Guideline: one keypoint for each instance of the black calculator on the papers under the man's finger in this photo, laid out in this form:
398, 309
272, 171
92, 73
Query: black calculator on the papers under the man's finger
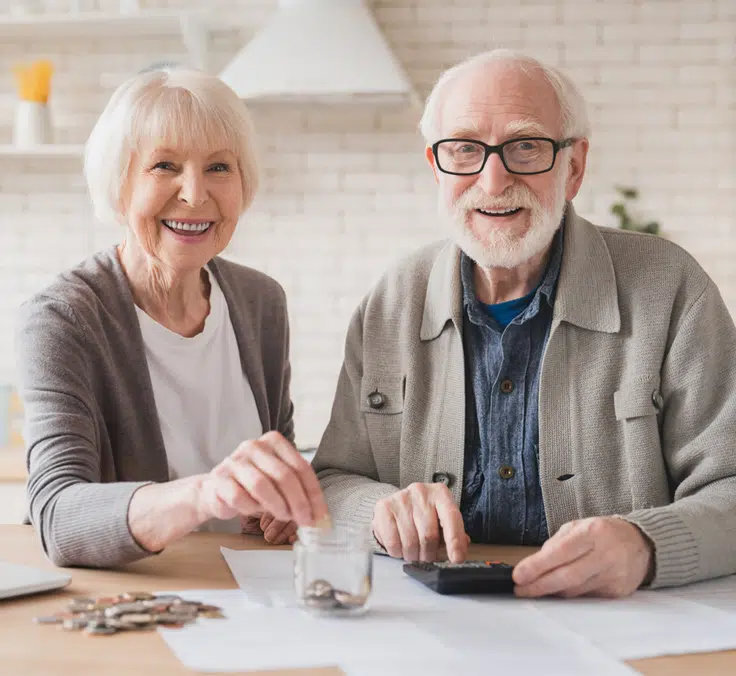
470, 577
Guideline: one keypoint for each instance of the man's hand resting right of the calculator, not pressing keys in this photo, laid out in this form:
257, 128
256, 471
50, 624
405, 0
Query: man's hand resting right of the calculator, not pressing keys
600, 556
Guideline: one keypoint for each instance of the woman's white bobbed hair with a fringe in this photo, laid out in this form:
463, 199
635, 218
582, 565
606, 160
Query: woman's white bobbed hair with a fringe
184, 107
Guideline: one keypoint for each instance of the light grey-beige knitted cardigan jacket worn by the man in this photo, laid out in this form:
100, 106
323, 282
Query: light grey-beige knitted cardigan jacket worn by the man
637, 398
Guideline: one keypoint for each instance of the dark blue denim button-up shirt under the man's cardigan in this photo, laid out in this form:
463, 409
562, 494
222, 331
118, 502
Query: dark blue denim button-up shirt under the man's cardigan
502, 497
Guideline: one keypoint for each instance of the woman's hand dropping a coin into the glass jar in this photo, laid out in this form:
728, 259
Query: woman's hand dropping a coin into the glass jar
267, 475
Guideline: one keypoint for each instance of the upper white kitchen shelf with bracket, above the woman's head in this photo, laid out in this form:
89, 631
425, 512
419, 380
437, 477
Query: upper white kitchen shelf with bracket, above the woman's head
192, 26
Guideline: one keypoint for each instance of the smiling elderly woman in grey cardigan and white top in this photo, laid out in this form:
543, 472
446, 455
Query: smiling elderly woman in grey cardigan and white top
155, 375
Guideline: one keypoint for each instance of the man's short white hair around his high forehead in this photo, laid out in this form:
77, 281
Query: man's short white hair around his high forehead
572, 104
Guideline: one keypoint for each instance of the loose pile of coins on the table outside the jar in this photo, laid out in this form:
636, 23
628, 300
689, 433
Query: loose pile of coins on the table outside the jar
107, 615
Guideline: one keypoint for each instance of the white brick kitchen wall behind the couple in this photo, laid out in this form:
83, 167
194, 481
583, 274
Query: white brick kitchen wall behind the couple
346, 191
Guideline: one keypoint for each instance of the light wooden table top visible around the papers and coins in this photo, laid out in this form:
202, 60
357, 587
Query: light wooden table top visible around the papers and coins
193, 563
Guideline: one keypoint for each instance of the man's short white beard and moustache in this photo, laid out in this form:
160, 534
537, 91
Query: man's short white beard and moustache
499, 247
